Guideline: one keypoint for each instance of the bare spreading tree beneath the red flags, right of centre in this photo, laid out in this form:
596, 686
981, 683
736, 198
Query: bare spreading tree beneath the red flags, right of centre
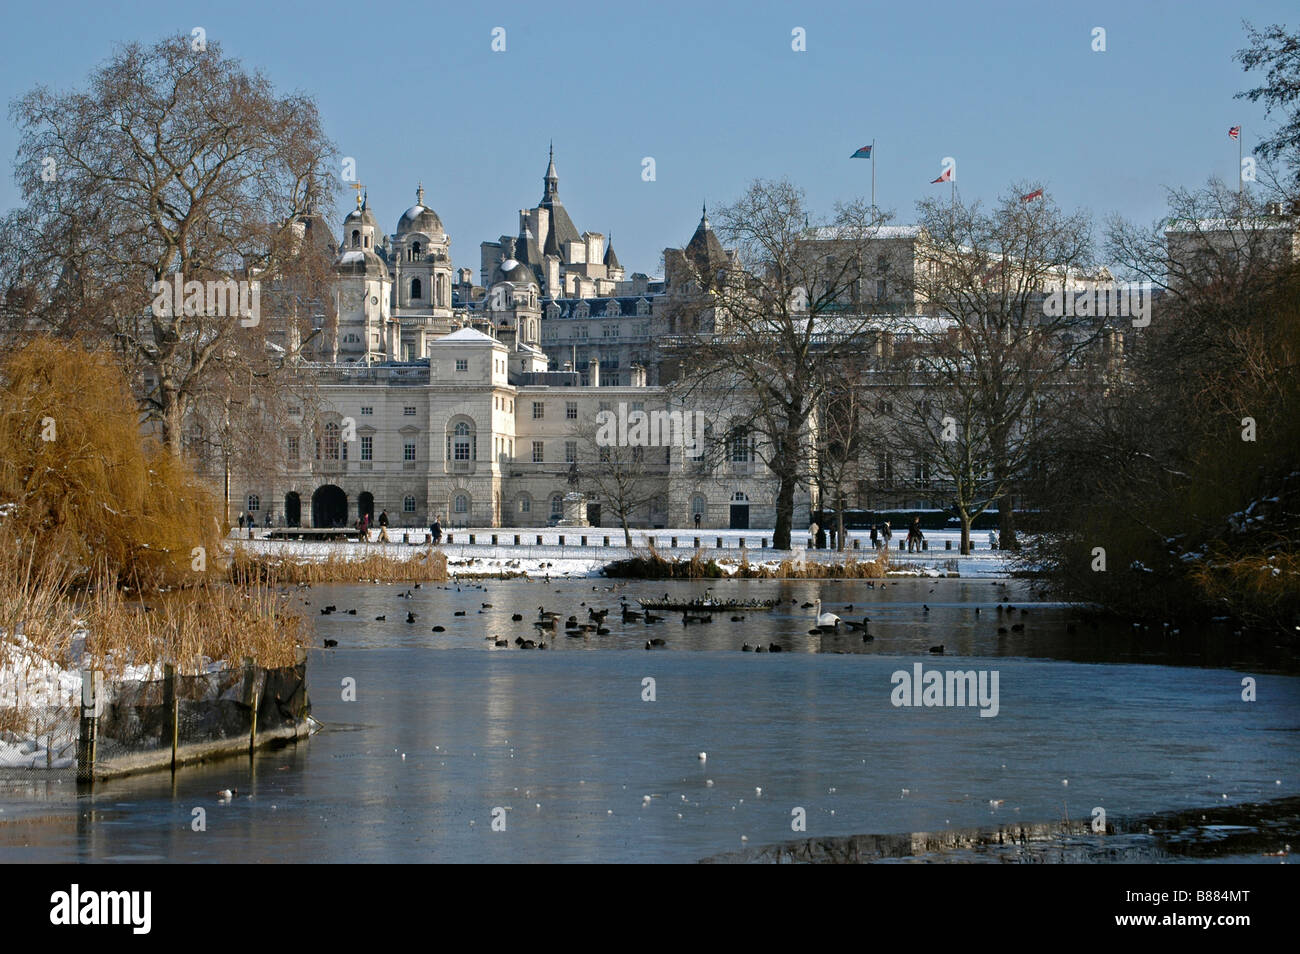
993, 353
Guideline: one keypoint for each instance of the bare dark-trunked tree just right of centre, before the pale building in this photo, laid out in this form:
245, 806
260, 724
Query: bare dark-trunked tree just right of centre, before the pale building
769, 318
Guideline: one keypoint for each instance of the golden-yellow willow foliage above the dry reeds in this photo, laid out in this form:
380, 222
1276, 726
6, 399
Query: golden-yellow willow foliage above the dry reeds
84, 487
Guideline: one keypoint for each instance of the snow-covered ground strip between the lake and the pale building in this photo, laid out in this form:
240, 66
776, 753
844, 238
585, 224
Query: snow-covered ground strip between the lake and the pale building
573, 560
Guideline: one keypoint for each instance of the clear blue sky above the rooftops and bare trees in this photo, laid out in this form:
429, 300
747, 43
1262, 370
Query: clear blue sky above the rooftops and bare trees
716, 94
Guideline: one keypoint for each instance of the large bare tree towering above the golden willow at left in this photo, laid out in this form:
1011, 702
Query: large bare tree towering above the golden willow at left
172, 162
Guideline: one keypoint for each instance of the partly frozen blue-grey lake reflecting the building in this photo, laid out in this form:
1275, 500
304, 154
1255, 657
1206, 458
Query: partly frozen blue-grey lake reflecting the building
567, 747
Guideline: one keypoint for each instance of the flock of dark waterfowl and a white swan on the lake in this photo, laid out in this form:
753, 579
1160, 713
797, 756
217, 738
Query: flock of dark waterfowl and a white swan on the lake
595, 622
